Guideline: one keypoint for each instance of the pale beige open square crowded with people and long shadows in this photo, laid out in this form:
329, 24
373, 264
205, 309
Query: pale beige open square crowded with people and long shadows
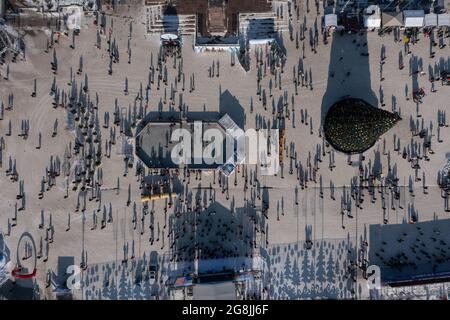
70, 181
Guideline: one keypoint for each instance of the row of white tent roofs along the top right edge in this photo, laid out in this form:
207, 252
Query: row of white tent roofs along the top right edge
375, 19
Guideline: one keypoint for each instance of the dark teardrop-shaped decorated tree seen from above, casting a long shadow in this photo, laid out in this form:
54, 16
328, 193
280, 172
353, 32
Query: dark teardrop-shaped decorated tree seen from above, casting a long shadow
353, 125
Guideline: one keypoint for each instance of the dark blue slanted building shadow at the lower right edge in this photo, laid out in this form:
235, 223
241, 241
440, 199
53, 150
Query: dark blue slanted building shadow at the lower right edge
411, 253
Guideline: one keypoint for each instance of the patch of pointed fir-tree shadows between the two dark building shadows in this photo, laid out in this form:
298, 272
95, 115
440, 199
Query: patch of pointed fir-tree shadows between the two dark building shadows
320, 273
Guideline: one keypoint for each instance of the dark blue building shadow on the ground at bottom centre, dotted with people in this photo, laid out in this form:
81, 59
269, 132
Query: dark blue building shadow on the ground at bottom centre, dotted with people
212, 241
